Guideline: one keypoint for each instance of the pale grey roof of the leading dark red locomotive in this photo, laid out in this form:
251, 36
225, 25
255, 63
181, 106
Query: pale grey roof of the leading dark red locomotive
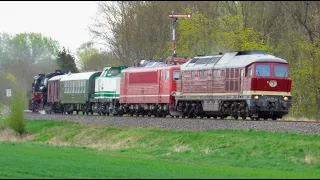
230, 60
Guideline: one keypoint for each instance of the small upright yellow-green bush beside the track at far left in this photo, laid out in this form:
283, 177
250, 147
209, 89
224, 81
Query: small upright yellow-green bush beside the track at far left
16, 120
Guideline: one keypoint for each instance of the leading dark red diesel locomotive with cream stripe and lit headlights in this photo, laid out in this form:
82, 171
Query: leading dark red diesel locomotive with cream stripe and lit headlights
238, 84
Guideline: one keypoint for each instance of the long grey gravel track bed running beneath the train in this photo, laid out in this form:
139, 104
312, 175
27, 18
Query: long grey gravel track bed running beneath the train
184, 124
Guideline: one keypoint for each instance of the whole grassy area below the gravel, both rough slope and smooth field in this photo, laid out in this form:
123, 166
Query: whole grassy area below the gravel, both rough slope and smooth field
69, 150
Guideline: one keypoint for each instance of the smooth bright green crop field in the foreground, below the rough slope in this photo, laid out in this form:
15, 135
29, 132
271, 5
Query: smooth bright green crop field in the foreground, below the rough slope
42, 161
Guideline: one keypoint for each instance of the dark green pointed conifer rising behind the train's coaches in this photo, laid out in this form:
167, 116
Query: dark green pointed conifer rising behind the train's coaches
66, 62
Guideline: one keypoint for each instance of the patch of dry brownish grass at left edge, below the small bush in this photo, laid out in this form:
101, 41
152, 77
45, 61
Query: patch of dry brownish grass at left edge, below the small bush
9, 135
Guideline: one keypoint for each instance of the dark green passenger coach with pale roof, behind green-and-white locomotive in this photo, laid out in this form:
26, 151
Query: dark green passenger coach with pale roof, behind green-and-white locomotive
76, 91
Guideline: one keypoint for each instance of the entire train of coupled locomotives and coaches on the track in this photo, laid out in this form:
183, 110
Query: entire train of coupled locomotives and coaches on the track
246, 84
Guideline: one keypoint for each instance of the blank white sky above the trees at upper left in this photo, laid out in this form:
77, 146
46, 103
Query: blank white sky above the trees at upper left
64, 21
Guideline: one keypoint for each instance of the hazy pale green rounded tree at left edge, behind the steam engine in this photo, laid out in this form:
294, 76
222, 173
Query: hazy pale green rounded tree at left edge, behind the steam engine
25, 55
